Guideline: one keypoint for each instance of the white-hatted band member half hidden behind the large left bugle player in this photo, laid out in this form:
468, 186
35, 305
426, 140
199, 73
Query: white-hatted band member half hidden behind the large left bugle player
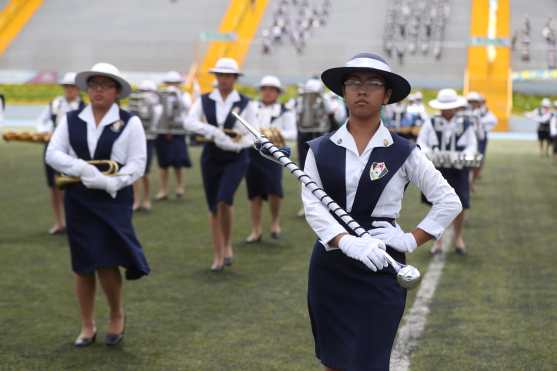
46, 123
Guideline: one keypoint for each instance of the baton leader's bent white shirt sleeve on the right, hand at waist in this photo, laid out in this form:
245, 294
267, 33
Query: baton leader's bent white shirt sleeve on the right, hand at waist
446, 204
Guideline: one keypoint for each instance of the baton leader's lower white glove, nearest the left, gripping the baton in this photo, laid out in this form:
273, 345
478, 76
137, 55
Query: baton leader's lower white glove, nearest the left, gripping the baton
369, 251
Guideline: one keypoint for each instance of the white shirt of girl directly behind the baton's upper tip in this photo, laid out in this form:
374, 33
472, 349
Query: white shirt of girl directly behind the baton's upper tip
286, 122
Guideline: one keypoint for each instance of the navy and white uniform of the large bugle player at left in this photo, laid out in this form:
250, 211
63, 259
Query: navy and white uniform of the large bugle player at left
99, 225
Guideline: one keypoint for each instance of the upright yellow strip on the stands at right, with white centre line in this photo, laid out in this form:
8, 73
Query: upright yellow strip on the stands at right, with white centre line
488, 71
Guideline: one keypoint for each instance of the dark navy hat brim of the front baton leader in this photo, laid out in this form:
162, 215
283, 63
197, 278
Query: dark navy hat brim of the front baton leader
333, 78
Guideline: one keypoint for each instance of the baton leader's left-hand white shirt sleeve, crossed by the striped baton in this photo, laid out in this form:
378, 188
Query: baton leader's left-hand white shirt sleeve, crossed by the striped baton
318, 216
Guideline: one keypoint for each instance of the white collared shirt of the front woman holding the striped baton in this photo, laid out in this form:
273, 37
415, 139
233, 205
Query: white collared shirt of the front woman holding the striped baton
417, 169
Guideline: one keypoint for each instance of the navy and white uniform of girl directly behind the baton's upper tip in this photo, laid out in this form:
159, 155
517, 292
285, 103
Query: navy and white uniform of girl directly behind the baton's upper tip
263, 176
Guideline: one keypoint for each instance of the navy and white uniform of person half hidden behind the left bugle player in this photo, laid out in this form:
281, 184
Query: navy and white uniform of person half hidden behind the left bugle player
49, 119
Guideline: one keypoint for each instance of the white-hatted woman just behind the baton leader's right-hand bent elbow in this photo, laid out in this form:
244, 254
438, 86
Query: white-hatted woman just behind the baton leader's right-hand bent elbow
453, 132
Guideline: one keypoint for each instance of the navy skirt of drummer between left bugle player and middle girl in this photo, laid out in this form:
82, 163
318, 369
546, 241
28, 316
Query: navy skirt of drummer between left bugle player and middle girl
172, 151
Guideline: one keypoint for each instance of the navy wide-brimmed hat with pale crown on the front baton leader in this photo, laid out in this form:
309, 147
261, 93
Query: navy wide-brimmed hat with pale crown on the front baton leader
334, 78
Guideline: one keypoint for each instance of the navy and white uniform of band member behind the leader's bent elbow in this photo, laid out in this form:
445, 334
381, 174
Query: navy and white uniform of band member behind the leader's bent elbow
456, 135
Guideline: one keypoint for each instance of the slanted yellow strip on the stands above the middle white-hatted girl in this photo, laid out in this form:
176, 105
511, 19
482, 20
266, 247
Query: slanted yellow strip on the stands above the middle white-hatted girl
242, 18
